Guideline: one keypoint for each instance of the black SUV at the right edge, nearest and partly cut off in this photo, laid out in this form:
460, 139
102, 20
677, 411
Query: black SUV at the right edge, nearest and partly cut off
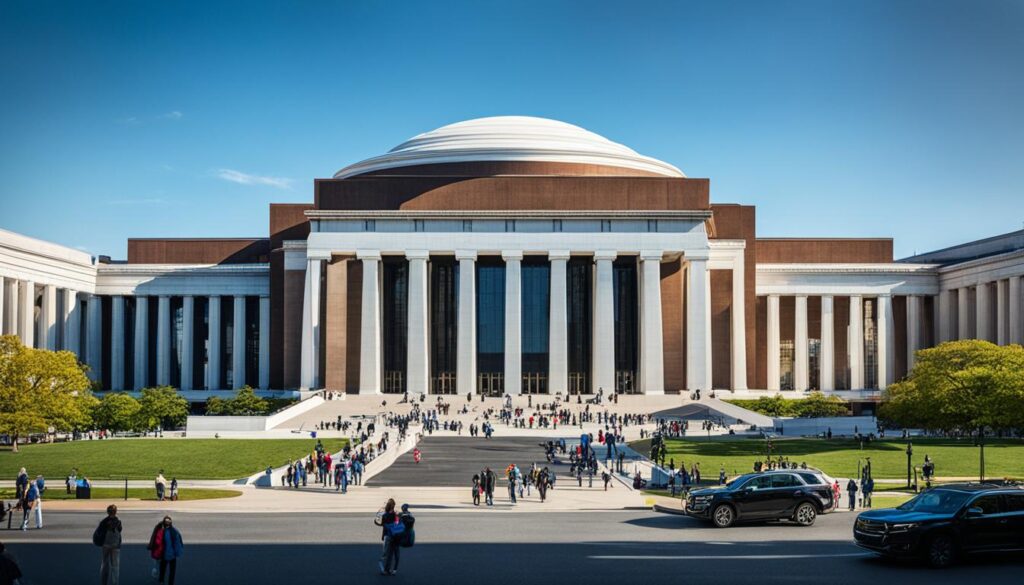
944, 523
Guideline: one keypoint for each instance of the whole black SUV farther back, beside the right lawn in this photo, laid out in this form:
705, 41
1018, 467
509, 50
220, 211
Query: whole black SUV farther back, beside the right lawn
784, 494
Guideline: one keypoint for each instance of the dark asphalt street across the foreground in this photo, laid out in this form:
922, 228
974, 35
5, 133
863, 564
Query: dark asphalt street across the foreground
495, 547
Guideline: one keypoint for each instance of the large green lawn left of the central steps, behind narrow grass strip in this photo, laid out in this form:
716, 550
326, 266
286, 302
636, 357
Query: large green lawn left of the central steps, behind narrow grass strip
144, 458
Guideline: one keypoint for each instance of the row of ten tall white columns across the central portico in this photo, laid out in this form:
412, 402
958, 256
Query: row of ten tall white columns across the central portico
603, 374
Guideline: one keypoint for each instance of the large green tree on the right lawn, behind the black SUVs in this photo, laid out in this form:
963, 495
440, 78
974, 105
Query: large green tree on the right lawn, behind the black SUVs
967, 387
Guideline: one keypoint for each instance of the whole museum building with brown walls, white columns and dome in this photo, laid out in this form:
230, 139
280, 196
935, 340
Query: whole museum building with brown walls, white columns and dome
509, 256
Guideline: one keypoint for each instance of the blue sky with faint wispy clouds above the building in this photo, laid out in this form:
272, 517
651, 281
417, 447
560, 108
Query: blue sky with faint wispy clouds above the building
886, 118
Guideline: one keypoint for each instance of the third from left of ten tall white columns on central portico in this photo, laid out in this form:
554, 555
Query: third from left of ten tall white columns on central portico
418, 357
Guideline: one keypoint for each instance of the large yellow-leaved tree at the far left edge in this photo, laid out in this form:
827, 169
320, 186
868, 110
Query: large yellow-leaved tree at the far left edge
41, 390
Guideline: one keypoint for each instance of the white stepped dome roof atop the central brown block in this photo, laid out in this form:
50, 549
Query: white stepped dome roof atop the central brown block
510, 139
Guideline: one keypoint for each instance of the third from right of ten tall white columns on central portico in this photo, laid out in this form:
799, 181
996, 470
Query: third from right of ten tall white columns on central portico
652, 344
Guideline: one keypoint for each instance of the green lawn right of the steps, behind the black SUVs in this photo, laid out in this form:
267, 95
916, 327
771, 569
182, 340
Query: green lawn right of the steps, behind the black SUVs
839, 457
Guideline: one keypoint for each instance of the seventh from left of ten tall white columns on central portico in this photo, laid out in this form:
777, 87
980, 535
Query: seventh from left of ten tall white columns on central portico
604, 344
